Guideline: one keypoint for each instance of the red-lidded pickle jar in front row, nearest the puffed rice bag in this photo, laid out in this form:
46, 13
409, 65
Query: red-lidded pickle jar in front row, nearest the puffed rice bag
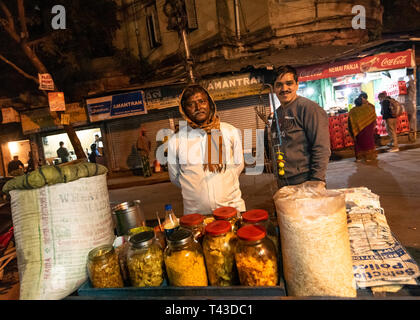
255, 257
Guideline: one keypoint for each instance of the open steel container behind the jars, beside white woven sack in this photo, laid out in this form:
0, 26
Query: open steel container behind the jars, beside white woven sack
127, 215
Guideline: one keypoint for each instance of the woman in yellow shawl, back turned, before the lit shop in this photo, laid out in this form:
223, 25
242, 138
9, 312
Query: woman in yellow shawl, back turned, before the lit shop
362, 122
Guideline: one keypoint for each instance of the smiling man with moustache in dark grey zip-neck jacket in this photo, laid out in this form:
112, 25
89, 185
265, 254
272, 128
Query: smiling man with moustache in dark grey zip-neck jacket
303, 127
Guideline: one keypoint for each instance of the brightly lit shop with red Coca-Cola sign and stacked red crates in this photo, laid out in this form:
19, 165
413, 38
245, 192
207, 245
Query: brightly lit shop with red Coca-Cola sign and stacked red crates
335, 86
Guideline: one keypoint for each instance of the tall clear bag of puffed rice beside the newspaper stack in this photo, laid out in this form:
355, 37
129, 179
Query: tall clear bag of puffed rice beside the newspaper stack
314, 241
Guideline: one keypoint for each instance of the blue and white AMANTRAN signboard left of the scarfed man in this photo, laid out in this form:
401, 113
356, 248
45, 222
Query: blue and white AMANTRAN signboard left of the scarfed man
116, 106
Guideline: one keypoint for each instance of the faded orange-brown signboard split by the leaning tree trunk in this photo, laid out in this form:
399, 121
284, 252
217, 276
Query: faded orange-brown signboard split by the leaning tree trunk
40, 120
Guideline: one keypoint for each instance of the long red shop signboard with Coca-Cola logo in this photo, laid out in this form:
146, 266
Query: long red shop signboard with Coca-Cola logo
384, 61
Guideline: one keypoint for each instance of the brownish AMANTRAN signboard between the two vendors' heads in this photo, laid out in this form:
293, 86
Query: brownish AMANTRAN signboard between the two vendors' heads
235, 86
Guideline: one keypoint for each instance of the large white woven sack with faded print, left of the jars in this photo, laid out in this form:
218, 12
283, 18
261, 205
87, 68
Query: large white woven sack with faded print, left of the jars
55, 228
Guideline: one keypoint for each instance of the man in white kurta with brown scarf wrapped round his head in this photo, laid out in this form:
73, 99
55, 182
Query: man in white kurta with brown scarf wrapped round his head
208, 180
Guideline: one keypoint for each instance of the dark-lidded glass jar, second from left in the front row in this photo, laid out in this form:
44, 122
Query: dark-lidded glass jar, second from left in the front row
145, 260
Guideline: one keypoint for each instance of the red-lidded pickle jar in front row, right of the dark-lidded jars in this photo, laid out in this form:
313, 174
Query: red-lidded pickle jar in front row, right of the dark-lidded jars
219, 252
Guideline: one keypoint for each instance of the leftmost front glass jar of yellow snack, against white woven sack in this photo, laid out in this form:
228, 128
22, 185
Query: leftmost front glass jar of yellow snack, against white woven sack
103, 268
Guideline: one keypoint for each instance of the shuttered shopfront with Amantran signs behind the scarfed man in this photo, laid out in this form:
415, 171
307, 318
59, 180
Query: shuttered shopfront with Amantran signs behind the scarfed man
157, 108
